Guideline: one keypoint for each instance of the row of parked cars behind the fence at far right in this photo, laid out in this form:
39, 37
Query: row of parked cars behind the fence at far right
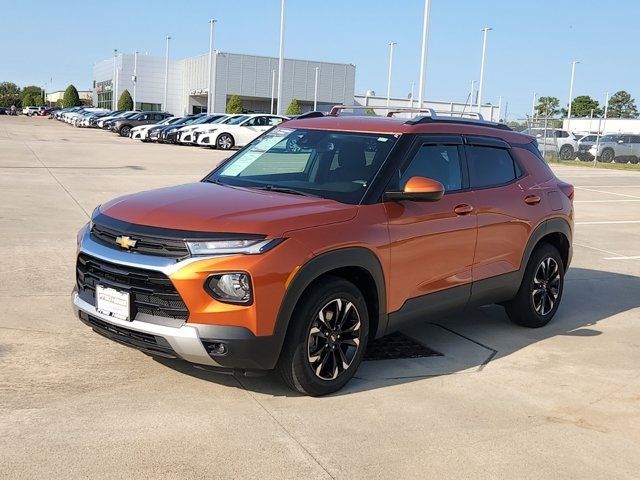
618, 148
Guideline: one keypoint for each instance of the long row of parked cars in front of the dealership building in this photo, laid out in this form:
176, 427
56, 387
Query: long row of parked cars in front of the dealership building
223, 131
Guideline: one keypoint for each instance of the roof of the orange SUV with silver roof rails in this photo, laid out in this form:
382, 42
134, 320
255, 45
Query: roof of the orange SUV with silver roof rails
394, 125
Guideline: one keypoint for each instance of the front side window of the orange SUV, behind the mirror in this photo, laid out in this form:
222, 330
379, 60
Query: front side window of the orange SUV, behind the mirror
439, 162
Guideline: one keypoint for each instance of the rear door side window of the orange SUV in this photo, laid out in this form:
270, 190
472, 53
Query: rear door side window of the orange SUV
489, 166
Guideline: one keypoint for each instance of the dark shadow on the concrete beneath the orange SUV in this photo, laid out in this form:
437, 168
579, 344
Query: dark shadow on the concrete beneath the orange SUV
468, 342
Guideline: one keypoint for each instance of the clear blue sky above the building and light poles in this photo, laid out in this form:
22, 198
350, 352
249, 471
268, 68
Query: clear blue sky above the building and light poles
529, 50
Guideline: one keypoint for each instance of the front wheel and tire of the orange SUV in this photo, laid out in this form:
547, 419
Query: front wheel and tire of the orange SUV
315, 350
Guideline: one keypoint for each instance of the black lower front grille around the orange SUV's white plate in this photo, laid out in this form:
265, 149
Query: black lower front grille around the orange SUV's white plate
151, 292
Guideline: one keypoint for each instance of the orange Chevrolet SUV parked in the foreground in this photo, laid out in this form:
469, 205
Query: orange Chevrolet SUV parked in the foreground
325, 233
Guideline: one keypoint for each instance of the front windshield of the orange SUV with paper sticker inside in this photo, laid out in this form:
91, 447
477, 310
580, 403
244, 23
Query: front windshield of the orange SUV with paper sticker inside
334, 165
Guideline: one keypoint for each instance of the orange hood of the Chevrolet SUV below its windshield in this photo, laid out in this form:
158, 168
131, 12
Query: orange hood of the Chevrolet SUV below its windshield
208, 207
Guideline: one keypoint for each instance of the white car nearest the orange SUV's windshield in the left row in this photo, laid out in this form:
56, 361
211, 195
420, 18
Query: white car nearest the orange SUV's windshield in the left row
238, 131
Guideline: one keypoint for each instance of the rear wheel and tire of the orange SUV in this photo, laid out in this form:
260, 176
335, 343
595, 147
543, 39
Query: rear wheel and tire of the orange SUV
531, 309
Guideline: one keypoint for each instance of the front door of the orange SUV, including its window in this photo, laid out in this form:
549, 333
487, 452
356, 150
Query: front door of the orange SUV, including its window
432, 243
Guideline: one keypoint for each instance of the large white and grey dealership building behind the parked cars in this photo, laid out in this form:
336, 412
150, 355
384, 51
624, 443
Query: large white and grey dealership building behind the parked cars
253, 78
